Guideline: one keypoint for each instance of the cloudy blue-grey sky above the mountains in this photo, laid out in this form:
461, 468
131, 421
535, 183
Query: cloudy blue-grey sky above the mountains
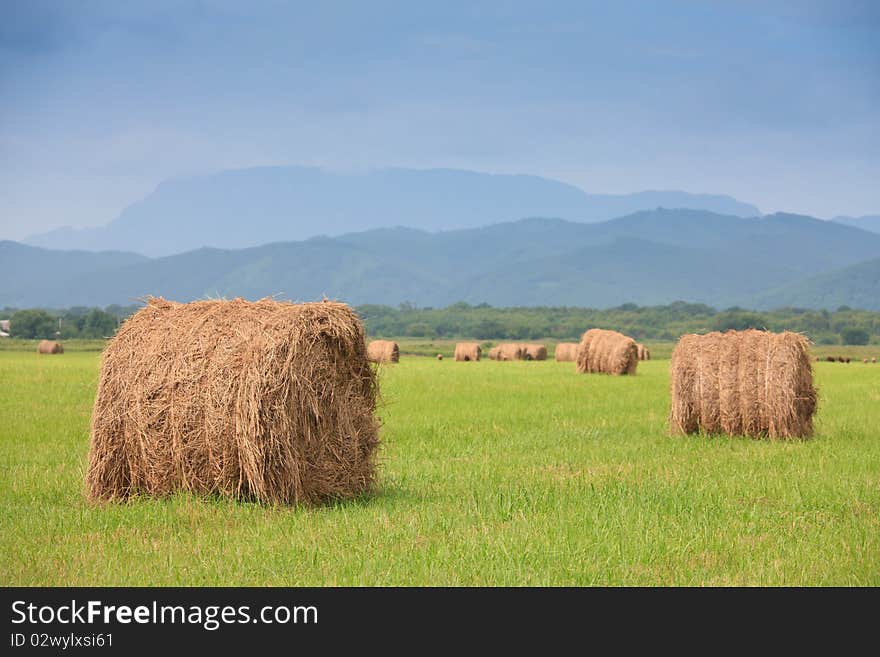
775, 103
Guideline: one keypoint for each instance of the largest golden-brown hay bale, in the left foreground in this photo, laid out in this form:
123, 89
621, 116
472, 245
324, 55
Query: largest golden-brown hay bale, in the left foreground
268, 401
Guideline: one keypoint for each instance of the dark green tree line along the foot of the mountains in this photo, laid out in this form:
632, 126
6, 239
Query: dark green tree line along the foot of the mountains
484, 322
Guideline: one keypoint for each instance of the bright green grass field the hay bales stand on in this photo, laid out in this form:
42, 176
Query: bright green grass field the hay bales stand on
492, 473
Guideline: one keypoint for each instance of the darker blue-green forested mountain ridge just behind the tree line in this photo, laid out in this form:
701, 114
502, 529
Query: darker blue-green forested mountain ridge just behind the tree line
647, 257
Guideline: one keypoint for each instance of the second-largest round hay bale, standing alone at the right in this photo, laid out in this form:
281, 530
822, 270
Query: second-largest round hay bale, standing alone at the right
752, 383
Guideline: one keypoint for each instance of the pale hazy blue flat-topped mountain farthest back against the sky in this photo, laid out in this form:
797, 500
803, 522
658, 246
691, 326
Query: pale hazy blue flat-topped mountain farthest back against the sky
251, 207
